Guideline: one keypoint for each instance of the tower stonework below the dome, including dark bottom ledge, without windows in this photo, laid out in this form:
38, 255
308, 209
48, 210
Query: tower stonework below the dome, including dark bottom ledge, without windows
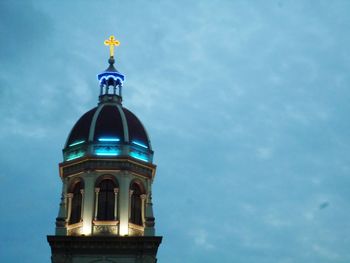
91, 240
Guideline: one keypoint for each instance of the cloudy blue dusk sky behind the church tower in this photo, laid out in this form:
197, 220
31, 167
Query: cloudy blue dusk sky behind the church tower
246, 104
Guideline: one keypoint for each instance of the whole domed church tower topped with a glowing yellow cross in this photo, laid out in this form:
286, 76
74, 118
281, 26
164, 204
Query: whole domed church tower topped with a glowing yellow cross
105, 213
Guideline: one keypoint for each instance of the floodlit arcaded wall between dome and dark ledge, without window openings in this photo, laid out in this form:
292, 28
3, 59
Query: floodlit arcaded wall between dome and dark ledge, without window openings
124, 172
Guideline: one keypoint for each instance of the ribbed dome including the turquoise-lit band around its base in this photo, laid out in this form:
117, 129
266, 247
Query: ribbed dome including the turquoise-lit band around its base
108, 130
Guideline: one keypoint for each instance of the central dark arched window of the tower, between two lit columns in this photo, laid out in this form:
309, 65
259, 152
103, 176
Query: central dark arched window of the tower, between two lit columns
106, 200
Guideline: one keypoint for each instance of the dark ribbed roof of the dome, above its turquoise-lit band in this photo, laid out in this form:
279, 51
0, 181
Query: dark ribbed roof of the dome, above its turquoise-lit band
109, 121
